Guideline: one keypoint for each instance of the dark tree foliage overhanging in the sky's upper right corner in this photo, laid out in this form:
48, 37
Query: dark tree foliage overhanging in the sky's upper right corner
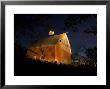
72, 21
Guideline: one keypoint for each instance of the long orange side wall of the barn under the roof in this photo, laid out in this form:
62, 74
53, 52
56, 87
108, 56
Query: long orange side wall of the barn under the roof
44, 53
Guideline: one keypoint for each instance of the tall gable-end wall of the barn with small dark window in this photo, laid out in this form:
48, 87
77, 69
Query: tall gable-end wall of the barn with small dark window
63, 50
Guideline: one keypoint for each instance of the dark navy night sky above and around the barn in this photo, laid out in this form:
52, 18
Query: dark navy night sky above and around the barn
28, 28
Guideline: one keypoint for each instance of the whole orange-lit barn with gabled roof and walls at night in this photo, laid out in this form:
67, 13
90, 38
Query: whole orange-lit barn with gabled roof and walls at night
55, 48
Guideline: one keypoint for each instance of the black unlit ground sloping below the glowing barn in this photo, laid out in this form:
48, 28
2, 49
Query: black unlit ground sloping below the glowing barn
27, 67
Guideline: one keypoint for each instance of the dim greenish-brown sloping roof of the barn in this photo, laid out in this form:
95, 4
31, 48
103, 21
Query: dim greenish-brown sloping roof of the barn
51, 40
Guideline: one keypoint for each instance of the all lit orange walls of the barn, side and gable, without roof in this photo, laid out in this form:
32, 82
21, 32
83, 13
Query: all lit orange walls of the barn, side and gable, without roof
60, 52
